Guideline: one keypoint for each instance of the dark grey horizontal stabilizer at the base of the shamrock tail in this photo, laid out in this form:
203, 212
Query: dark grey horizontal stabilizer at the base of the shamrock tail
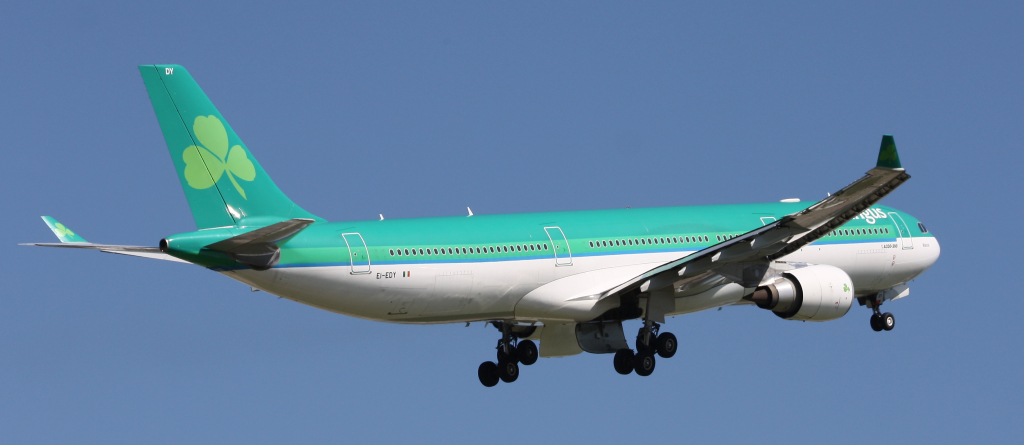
259, 250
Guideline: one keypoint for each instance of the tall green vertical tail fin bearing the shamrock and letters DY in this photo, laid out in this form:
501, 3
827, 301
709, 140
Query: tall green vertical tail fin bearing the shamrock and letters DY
223, 182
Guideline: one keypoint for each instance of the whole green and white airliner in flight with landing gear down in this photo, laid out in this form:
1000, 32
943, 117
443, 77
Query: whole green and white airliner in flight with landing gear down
566, 280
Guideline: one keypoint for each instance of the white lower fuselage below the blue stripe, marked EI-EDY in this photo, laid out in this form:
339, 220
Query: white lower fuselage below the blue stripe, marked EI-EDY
540, 290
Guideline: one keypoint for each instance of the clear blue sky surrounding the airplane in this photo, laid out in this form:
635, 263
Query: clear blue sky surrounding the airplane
422, 109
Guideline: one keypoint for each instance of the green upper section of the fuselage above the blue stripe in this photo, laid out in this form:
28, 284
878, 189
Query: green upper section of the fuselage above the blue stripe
323, 244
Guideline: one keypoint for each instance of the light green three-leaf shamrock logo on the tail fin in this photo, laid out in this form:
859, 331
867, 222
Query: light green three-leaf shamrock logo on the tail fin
207, 163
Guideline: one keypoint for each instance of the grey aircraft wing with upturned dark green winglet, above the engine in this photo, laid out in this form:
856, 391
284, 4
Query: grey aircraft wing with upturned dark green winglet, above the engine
745, 259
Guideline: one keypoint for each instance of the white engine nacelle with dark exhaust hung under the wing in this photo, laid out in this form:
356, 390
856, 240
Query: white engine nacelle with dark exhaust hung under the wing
812, 294
